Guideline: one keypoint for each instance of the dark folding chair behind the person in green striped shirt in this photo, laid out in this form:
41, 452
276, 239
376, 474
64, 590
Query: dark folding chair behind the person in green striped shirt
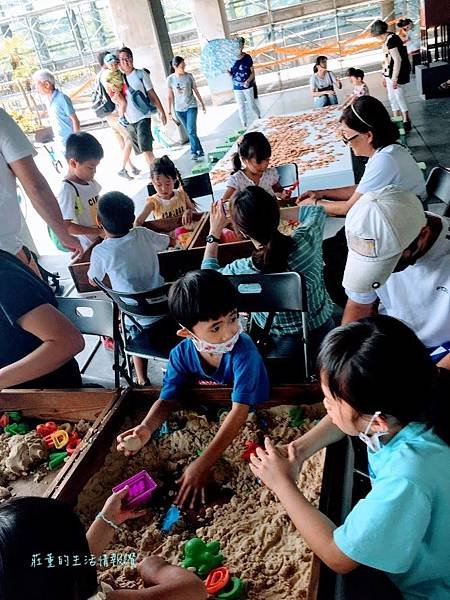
272, 293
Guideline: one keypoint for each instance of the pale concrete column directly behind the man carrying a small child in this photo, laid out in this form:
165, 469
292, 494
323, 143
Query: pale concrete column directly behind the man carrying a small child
141, 26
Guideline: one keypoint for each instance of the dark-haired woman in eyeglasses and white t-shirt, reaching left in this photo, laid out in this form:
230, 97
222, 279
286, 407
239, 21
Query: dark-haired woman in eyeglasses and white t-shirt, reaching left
367, 128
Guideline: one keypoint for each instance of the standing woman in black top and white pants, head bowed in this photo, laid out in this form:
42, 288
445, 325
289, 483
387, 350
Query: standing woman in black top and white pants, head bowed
396, 69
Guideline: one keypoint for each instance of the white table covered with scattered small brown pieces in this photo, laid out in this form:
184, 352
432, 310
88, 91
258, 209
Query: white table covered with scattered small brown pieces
309, 139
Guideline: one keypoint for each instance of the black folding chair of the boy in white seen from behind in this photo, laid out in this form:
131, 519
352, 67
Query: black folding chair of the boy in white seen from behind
155, 341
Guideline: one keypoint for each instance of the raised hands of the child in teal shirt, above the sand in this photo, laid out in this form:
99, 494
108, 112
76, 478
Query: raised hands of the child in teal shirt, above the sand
272, 468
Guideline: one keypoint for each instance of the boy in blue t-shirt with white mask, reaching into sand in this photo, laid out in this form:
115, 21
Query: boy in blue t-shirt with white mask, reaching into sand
215, 349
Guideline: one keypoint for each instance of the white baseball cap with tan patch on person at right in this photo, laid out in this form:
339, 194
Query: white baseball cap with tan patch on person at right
379, 227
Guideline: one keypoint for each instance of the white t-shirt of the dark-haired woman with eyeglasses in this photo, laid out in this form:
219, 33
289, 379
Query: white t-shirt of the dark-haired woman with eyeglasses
392, 165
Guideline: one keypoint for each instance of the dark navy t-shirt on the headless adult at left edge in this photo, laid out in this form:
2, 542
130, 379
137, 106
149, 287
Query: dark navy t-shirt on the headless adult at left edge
21, 291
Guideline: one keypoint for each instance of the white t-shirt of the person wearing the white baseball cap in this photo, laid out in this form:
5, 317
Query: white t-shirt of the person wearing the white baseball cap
419, 295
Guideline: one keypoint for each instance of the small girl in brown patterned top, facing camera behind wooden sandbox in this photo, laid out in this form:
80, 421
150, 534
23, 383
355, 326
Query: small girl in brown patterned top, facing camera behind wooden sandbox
168, 200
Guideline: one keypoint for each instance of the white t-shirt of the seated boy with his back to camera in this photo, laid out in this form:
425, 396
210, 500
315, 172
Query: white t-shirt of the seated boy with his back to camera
131, 262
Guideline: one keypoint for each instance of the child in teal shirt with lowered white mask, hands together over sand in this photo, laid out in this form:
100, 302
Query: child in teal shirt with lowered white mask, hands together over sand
379, 384
